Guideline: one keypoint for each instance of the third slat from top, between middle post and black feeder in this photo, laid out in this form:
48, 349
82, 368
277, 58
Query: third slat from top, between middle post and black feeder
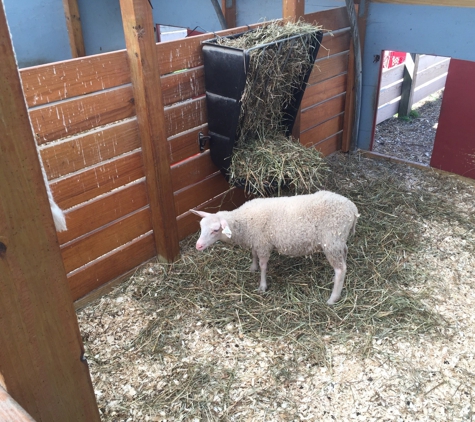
185, 116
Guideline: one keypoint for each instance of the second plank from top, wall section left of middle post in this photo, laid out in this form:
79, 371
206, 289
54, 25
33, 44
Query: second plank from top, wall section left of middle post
71, 117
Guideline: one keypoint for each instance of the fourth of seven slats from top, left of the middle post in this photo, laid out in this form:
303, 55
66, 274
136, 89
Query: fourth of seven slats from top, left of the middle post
97, 180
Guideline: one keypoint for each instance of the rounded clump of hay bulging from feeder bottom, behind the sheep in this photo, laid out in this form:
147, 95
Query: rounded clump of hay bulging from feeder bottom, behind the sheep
266, 167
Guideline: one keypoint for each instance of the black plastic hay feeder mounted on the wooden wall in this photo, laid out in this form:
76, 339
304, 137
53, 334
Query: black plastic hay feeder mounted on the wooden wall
226, 70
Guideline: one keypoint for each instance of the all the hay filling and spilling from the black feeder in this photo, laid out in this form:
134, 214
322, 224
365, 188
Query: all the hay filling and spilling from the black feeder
266, 159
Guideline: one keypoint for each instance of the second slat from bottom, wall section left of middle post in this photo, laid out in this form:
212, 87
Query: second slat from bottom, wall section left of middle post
92, 246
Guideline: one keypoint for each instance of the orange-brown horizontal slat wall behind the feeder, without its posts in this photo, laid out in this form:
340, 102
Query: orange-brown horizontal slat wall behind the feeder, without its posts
84, 116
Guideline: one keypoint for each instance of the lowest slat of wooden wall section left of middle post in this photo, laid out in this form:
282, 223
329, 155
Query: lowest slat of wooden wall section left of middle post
93, 275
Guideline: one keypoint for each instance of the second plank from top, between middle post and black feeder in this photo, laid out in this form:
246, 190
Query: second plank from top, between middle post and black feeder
182, 86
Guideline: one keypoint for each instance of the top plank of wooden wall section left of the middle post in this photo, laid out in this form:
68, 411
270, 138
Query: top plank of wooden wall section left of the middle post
62, 80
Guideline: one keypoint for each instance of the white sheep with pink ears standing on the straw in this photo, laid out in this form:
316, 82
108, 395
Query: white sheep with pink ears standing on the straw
295, 226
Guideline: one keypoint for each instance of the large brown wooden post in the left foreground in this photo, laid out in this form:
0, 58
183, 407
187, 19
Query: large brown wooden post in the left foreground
41, 352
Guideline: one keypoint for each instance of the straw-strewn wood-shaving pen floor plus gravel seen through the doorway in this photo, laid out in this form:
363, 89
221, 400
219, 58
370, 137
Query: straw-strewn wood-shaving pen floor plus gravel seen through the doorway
193, 341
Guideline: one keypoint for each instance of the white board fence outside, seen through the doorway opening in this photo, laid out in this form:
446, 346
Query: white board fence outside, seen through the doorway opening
429, 75
